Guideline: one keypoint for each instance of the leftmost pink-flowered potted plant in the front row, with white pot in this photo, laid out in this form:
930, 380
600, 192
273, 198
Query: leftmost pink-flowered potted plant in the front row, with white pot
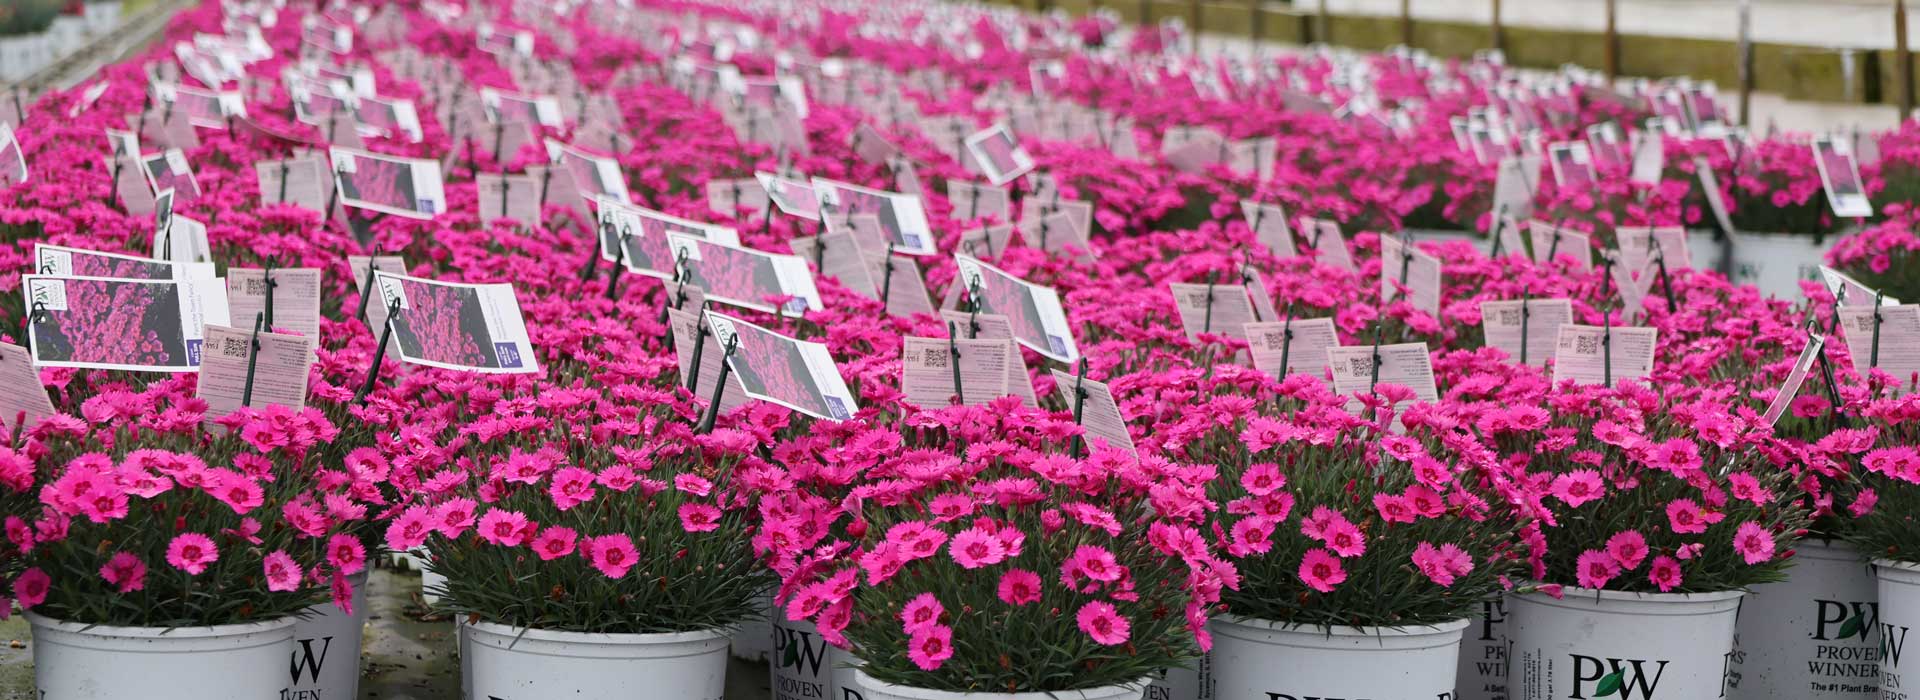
168, 559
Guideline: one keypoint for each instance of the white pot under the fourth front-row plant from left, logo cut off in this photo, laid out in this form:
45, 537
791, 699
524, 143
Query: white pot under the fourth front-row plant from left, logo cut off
1272, 661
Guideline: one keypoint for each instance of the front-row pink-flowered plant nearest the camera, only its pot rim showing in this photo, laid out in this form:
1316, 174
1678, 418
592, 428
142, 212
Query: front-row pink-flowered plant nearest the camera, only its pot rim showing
988, 561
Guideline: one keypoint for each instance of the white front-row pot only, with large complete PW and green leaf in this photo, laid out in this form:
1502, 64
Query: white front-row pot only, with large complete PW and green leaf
1620, 645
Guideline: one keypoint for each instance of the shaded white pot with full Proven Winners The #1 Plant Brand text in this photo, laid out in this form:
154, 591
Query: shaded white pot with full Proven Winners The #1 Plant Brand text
1812, 636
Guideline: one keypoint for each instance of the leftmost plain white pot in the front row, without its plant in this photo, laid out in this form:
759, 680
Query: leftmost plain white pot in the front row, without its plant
97, 663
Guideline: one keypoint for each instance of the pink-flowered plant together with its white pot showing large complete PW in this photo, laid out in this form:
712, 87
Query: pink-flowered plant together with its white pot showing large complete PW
1656, 519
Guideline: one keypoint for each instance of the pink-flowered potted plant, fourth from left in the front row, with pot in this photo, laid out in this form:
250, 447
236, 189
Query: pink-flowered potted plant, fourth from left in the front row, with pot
1362, 553
